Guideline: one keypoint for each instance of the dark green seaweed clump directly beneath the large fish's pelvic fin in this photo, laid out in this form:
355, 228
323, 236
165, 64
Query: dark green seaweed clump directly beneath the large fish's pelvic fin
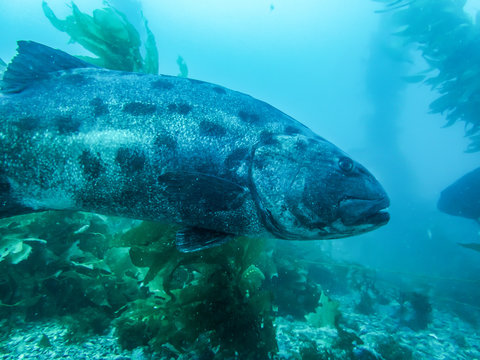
217, 292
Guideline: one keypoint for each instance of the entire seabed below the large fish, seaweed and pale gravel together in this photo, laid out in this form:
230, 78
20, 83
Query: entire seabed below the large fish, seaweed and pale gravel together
83, 286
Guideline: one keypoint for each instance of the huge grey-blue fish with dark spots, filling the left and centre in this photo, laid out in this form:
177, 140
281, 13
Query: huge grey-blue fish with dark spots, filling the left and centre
216, 162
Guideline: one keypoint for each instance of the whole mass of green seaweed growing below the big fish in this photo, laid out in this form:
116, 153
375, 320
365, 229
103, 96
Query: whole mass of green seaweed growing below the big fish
97, 273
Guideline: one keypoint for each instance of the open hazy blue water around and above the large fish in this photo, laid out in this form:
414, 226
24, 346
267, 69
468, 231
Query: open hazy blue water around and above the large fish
334, 66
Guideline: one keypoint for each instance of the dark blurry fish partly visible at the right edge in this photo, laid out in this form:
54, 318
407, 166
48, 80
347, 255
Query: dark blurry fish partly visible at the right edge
462, 198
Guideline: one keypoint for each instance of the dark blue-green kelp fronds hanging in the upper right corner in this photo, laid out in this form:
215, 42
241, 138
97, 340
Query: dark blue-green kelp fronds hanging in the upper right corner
449, 41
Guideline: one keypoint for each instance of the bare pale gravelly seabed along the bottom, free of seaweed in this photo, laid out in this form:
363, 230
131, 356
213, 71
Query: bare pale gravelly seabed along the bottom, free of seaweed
447, 337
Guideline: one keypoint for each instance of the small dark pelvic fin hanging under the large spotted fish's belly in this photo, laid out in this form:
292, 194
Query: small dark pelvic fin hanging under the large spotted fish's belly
192, 239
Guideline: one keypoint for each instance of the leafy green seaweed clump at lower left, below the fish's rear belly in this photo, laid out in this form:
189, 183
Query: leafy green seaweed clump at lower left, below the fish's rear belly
68, 267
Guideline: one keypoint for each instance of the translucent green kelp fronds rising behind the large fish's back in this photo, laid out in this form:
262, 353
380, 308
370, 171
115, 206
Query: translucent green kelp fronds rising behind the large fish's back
111, 37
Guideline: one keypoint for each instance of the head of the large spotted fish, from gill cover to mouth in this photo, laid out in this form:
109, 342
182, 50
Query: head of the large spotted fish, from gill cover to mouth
307, 188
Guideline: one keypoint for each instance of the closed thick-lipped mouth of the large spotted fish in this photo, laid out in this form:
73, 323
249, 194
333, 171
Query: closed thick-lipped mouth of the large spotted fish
355, 211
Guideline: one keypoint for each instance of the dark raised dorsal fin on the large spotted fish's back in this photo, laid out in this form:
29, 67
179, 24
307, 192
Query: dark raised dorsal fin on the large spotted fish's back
34, 62
